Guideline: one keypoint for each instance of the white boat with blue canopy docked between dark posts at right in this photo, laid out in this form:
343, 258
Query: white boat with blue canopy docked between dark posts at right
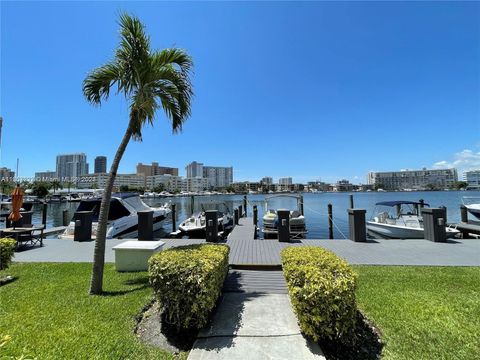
400, 220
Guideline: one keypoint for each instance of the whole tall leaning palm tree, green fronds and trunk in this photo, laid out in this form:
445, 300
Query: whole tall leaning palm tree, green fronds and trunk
149, 80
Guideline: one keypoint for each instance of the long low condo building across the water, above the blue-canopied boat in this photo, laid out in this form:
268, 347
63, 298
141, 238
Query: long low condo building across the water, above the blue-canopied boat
413, 179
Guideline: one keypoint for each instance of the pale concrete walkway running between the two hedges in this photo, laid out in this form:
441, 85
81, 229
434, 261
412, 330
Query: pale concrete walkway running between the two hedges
254, 326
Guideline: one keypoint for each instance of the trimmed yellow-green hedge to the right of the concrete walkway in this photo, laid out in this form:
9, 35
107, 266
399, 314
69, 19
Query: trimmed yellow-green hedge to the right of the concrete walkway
322, 291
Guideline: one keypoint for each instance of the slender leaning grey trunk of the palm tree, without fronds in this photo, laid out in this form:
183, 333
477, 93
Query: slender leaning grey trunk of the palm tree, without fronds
96, 283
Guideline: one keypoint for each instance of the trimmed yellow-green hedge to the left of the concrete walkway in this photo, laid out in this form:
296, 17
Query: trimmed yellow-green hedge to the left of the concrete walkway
187, 281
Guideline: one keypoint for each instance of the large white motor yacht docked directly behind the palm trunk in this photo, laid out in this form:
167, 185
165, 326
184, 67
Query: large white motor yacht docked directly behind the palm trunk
122, 216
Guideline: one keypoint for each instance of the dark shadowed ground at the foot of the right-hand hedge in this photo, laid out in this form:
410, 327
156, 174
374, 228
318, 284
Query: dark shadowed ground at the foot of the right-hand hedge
366, 346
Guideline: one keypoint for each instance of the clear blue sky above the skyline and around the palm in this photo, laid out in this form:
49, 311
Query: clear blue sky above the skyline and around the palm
309, 90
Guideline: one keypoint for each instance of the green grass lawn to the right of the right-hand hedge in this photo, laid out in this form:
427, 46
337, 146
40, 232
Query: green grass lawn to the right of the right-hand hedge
423, 312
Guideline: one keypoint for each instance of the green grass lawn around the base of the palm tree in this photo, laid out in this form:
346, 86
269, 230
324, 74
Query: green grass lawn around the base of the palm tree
49, 315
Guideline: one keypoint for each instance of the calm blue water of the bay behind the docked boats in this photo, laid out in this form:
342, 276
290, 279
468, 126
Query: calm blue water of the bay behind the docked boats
315, 207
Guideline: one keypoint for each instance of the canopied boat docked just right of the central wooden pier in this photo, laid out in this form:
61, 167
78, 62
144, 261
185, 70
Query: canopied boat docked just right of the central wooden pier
270, 219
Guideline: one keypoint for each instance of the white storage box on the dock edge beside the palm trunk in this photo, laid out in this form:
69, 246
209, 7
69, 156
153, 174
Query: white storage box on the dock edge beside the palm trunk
133, 255
